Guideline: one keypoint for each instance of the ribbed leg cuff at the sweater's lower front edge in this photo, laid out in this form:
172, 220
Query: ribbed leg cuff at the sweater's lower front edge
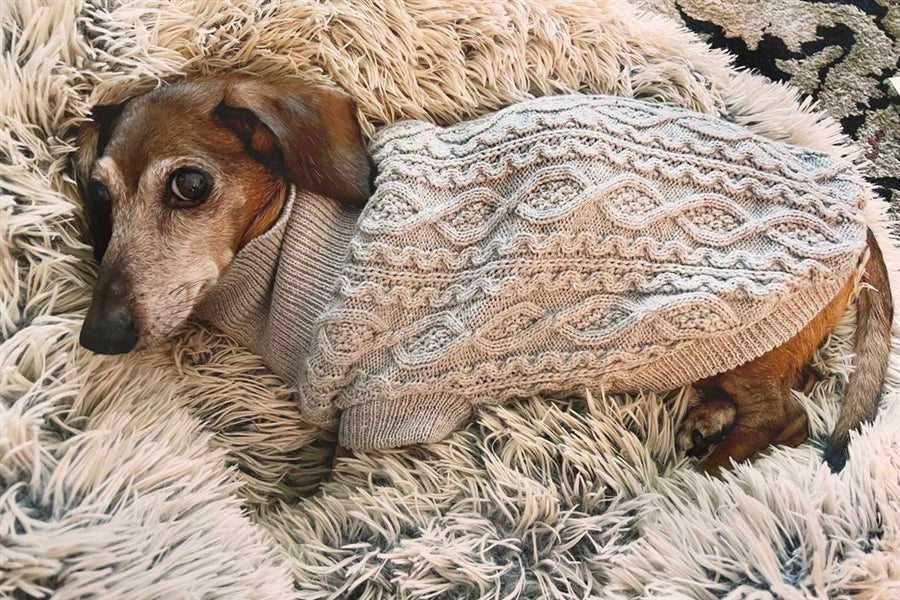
379, 424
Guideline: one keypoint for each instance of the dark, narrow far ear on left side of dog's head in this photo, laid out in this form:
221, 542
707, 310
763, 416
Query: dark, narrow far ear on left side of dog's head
91, 140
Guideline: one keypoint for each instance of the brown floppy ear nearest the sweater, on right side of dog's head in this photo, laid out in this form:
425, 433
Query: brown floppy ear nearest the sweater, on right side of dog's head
311, 133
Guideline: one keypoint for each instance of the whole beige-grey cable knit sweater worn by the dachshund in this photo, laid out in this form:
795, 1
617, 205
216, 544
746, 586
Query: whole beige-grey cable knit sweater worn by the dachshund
564, 242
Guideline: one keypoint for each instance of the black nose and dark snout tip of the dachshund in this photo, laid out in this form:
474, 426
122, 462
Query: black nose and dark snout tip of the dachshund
109, 327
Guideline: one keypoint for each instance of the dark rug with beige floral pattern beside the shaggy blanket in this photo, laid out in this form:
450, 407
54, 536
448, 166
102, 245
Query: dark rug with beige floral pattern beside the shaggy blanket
842, 53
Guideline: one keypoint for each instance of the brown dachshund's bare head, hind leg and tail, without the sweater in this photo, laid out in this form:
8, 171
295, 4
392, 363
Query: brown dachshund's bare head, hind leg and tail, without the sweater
177, 181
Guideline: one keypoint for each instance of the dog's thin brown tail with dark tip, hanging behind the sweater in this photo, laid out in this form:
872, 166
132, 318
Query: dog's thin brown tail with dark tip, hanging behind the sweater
875, 311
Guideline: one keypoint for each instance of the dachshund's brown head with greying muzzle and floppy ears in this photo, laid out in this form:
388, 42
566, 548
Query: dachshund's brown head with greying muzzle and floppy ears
176, 181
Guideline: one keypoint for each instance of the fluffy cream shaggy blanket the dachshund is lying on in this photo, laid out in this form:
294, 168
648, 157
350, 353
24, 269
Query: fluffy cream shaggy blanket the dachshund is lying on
187, 472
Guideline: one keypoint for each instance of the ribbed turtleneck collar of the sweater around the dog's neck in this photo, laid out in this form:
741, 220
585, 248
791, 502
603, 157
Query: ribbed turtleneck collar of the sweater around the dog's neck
318, 231
